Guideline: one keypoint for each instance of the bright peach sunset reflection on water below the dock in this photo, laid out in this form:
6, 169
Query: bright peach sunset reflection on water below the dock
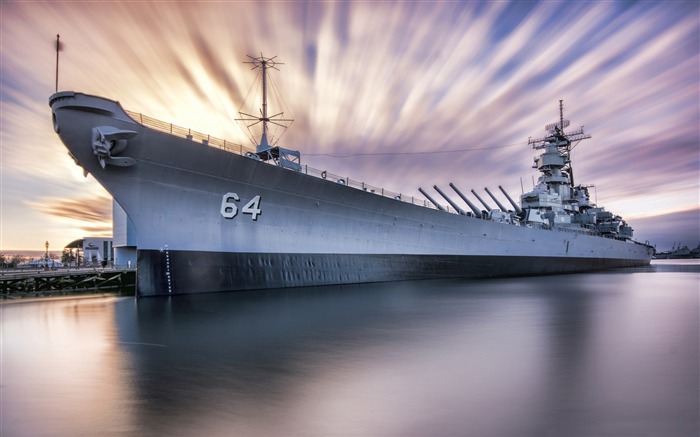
62, 368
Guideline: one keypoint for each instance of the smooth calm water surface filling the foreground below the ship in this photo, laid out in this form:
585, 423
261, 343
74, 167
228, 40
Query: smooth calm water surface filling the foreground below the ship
604, 354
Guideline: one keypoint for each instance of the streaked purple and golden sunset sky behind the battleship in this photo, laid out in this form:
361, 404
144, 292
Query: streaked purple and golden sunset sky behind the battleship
400, 95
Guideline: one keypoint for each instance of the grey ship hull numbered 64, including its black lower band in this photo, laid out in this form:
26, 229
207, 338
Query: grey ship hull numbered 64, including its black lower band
210, 220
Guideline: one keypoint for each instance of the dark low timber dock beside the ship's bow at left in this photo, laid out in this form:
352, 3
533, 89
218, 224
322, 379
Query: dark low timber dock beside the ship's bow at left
32, 283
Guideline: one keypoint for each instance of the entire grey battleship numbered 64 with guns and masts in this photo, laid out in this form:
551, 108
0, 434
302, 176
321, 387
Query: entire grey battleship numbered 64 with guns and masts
207, 215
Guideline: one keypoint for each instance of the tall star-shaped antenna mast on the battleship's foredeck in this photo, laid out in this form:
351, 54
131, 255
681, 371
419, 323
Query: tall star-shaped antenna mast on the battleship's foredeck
263, 63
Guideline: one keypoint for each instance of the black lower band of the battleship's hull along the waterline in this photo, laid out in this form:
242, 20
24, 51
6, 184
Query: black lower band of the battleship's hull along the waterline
185, 272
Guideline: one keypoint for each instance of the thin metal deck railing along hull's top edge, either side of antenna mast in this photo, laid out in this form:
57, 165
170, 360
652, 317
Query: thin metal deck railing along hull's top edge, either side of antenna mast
229, 146
